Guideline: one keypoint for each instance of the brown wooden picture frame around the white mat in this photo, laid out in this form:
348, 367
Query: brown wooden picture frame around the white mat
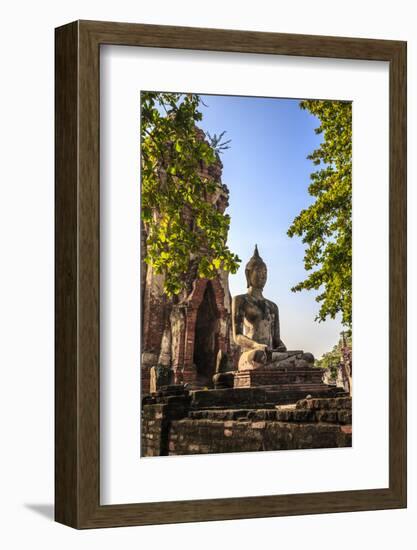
77, 372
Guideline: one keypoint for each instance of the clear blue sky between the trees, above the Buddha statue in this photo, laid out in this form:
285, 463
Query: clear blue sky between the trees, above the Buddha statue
267, 173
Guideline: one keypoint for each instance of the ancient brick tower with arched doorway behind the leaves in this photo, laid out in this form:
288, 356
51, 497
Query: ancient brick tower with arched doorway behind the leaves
186, 332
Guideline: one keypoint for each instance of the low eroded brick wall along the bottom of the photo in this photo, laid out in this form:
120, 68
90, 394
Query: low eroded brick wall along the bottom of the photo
185, 424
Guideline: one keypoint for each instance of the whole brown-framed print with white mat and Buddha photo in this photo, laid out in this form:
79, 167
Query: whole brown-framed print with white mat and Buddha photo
230, 240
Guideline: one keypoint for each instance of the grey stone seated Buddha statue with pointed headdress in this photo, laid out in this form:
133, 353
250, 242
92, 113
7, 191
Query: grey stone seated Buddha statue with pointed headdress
256, 328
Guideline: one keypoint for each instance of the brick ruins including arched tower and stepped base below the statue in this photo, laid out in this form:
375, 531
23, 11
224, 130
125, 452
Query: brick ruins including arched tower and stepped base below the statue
193, 398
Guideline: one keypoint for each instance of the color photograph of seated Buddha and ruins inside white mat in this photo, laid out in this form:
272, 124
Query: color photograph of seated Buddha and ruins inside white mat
246, 273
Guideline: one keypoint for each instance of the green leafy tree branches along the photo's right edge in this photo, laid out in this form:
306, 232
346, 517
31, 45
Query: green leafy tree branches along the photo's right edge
326, 225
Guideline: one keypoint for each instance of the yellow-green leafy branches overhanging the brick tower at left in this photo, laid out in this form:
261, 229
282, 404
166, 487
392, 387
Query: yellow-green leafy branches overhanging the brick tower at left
184, 229
